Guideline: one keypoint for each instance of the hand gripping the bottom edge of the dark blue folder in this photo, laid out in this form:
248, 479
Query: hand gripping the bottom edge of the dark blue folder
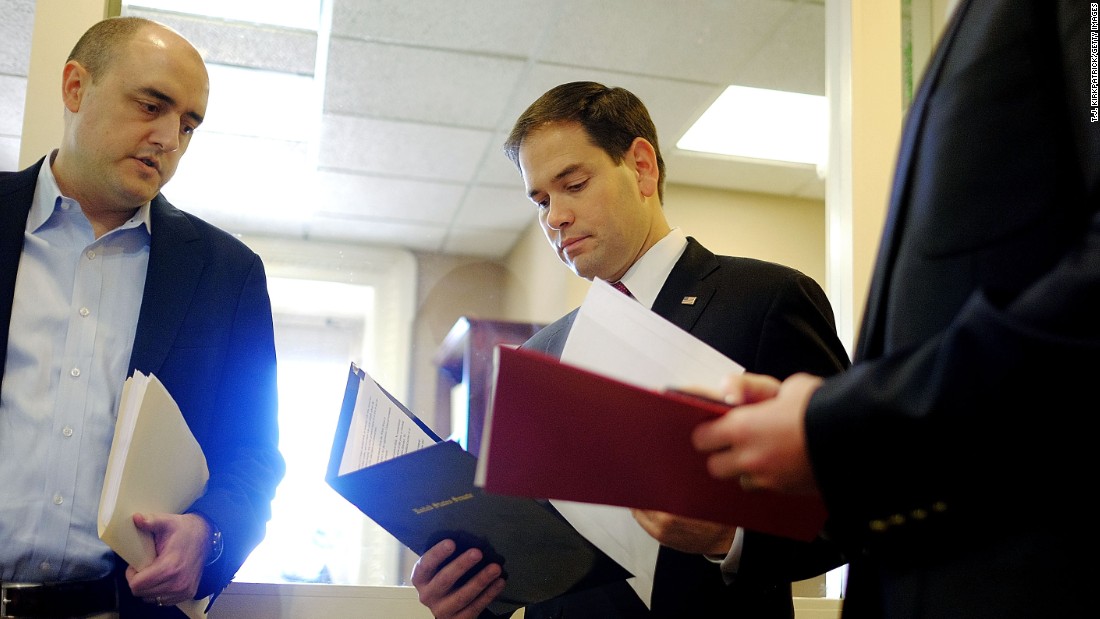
435, 582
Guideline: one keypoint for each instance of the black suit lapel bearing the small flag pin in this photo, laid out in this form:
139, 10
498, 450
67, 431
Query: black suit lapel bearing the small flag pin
687, 293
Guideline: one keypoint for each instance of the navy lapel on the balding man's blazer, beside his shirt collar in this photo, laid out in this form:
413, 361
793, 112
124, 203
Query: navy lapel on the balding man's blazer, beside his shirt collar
175, 266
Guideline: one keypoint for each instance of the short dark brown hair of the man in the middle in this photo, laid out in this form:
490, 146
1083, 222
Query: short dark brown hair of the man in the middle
612, 117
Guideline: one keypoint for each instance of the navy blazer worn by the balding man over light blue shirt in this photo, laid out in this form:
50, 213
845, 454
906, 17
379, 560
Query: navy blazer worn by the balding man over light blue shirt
205, 330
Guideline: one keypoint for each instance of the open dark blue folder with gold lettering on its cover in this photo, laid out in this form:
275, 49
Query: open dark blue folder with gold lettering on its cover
430, 495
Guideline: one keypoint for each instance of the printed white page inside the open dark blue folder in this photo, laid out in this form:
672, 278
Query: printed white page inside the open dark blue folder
380, 430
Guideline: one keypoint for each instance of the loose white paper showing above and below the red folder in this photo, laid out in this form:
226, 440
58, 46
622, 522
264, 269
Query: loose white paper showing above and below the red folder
617, 336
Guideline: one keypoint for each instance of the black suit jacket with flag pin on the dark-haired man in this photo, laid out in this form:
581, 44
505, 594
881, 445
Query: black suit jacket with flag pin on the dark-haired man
772, 319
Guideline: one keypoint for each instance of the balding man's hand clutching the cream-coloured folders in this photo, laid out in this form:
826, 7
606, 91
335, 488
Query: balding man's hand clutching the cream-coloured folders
182, 547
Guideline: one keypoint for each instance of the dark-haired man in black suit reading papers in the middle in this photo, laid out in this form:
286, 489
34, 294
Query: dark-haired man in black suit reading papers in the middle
590, 161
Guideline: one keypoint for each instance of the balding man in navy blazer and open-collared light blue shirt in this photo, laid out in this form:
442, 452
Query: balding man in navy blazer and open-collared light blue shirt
101, 277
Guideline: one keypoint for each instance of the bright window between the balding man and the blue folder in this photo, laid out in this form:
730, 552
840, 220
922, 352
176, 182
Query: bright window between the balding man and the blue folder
327, 314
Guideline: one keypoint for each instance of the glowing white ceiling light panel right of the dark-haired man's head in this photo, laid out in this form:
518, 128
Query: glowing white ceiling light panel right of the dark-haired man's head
763, 125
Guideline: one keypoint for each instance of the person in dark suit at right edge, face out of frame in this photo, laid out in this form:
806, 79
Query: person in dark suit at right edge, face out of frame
955, 456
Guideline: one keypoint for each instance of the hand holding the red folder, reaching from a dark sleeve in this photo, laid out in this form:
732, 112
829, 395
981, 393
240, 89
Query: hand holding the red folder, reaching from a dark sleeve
763, 441
